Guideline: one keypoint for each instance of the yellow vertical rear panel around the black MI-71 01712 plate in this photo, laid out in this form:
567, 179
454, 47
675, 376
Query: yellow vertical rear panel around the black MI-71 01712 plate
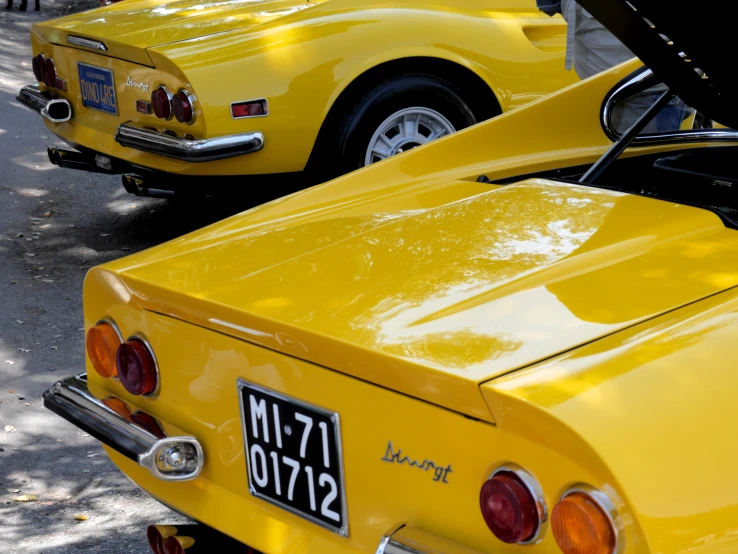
199, 369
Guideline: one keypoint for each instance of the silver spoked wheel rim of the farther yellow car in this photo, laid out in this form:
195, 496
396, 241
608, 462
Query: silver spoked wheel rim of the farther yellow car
404, 130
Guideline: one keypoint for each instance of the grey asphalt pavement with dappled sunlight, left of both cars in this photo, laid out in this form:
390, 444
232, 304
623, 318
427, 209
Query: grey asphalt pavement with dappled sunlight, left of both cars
55, 224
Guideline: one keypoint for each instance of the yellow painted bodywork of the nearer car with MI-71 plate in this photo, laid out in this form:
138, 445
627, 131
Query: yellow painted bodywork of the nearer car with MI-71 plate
631, 306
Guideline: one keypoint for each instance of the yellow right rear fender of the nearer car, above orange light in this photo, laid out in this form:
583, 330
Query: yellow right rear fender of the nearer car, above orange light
657, 404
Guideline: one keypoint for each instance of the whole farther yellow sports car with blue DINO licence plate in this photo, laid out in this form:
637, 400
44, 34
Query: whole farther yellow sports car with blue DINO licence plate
162, 90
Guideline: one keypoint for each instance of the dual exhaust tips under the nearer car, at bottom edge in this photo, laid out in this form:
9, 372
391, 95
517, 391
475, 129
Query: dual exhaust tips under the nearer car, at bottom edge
193, 539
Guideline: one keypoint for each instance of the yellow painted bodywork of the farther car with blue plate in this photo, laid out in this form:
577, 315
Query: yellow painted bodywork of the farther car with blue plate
299, 56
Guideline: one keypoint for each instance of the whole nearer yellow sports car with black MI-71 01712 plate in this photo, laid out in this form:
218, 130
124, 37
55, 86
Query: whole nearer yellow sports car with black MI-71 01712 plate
512, 340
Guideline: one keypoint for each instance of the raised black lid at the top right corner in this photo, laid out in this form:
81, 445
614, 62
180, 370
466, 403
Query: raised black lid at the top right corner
686, 44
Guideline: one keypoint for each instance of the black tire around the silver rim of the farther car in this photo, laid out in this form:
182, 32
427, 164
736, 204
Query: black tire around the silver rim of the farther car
355, 127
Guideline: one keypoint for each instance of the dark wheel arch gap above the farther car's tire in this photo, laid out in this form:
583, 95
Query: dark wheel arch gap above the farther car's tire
483, 100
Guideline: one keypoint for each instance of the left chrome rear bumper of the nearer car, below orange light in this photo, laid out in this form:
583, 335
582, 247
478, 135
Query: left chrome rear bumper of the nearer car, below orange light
71, 399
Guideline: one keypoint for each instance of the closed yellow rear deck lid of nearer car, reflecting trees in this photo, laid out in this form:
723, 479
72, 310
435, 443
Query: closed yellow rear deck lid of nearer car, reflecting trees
433, 303
